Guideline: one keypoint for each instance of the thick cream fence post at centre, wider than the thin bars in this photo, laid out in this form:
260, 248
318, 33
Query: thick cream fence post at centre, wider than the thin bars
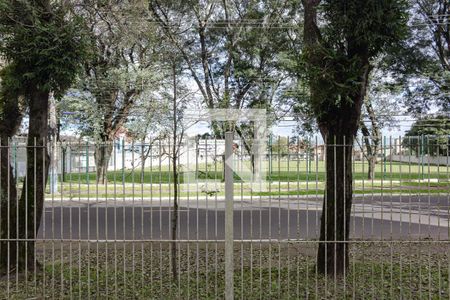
229, 198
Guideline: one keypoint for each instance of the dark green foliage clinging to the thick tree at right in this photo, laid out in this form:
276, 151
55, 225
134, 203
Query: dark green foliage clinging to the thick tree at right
353, 34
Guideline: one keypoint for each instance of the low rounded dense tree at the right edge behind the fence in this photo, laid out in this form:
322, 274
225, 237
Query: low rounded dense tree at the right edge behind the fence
429, 136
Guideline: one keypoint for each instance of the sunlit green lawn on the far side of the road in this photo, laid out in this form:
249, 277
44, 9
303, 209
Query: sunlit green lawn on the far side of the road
286, 178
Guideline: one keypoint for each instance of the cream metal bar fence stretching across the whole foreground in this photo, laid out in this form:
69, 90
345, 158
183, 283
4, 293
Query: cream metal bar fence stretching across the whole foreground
204, 228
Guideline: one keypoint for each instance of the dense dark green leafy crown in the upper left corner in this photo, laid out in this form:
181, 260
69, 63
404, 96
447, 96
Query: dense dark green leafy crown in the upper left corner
45, 47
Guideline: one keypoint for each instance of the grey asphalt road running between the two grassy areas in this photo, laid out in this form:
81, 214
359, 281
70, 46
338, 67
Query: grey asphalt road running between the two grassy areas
392, 217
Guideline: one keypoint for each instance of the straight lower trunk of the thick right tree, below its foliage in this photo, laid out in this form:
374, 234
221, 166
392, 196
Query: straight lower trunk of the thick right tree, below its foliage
334, 227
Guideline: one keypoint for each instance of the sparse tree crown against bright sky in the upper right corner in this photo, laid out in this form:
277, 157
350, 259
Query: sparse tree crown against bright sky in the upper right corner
422, 64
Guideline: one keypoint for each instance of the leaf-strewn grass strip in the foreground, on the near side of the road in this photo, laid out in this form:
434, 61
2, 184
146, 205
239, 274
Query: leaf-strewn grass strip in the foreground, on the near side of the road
143, 271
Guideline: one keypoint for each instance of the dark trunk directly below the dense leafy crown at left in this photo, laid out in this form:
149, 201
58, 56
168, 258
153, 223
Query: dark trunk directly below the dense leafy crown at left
31, 202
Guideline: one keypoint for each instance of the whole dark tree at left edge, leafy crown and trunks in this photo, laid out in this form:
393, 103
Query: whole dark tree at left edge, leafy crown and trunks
44, 48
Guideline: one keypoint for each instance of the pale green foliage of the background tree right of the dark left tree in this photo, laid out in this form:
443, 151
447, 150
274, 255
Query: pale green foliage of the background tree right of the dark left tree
119, 75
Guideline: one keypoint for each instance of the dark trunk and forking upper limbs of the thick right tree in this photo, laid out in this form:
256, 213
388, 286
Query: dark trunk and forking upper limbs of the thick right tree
338, 123
